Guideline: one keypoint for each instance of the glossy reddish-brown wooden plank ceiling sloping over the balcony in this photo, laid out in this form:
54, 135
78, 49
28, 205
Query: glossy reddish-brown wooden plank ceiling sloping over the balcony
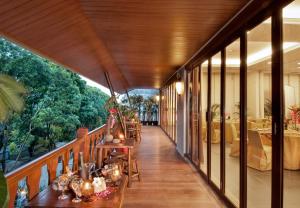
140, 43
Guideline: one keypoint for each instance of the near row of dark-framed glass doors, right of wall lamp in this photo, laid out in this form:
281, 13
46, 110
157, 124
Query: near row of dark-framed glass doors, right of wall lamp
244, 116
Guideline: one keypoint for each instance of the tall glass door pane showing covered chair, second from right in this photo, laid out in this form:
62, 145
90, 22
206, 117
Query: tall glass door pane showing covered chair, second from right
259, 135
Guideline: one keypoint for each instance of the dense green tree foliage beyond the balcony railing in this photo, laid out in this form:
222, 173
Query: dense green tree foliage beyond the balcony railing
57, 101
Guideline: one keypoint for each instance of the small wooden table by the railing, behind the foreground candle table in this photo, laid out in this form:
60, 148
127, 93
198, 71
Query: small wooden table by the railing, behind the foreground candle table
128, 143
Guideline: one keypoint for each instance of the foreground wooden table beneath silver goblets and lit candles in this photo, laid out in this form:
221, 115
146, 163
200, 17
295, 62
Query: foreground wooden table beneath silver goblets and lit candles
49, 198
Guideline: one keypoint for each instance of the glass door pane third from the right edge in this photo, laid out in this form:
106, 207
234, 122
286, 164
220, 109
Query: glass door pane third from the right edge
232, 122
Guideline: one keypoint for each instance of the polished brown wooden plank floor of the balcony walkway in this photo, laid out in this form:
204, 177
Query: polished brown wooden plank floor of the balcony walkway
167, 180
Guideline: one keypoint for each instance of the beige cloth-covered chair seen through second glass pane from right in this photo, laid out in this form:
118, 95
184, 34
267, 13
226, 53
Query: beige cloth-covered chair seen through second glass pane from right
259, 156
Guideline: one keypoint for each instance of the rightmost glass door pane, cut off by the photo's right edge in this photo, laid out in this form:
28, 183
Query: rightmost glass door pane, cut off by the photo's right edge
291, 67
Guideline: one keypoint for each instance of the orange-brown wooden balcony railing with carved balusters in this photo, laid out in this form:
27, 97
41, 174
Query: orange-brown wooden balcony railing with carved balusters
85, 142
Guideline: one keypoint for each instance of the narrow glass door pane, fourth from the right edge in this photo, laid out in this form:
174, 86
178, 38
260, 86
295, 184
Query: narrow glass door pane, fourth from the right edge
215, 114
